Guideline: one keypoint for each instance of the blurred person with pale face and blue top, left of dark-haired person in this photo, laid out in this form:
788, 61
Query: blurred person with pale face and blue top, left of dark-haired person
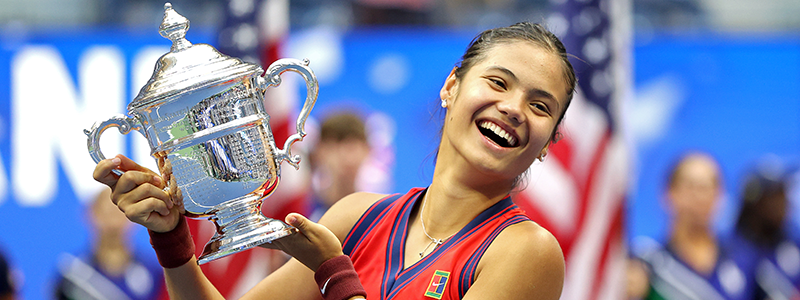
693, 264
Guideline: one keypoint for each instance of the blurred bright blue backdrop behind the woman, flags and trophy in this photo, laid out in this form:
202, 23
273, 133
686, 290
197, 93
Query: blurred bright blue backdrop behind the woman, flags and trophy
716, 75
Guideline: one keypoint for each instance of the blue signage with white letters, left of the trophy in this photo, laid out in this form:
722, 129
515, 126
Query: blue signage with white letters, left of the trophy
53, 86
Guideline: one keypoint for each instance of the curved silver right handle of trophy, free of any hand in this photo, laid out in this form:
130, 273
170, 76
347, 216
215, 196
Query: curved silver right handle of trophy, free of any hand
312, 89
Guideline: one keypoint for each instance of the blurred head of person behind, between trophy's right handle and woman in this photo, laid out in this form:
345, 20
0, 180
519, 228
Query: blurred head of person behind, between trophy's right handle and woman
336, 160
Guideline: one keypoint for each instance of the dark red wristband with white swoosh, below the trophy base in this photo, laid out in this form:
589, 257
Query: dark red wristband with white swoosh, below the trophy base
337, 279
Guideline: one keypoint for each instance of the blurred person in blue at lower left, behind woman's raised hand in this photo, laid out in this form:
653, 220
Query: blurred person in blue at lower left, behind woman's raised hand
111, 270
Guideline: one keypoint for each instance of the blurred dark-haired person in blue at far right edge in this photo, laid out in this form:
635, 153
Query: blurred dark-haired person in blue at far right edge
764, 234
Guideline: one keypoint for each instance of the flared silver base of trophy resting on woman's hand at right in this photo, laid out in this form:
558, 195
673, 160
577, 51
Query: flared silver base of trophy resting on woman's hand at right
248, 229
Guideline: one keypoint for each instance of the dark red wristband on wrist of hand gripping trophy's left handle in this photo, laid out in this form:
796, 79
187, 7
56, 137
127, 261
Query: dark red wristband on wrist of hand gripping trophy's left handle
173, 248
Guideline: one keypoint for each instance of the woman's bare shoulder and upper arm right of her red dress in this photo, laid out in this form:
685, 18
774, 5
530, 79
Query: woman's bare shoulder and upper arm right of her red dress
523, 262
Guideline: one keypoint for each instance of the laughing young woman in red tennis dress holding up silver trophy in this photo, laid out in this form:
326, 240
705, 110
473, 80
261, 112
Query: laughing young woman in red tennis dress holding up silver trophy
461, 237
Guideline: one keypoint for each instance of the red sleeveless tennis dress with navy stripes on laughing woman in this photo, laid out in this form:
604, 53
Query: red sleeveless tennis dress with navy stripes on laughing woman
376, 245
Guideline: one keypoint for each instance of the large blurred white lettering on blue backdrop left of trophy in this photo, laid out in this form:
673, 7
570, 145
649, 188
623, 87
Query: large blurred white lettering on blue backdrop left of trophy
49, 114
